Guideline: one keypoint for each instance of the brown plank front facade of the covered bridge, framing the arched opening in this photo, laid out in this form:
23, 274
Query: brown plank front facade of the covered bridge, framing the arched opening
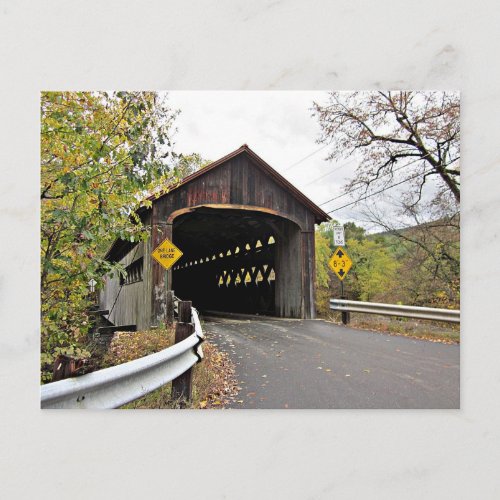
240, 182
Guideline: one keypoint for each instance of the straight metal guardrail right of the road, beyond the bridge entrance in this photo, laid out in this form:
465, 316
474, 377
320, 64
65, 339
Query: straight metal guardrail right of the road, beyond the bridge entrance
436, 314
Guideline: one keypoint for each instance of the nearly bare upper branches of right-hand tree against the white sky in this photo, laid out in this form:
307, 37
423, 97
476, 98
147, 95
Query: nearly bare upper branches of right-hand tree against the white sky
418, 131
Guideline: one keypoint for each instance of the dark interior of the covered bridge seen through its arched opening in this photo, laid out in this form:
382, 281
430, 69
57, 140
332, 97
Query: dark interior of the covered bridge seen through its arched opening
230, 259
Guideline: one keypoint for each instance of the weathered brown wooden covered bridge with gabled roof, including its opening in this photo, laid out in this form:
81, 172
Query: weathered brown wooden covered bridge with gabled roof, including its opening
247, 237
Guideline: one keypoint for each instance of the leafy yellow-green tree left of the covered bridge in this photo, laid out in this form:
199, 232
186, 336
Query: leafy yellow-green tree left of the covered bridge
99, 153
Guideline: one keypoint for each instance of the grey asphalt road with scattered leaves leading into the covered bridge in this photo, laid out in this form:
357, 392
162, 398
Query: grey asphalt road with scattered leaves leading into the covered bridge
316, 364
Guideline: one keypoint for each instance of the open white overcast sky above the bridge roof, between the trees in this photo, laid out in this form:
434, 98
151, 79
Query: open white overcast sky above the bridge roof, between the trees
277, 125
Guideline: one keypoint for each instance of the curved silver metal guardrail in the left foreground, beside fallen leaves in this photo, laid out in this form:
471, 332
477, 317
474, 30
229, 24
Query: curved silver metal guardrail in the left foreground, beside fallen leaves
118, 385
